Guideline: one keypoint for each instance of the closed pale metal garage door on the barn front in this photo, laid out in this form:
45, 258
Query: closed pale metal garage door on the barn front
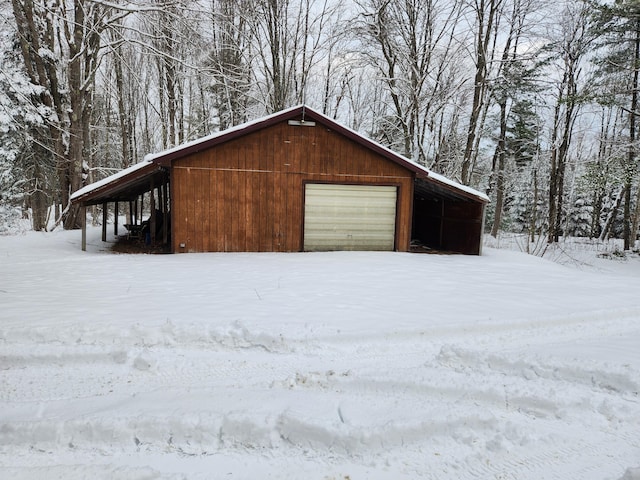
349, 217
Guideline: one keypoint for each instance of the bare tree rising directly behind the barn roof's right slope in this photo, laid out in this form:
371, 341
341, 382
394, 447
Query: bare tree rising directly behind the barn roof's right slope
414, 46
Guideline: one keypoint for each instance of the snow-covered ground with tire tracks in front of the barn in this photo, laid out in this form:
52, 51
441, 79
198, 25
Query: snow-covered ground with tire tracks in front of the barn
316, 366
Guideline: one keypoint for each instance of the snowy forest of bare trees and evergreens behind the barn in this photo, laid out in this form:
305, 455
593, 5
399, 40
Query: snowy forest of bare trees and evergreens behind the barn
533, 102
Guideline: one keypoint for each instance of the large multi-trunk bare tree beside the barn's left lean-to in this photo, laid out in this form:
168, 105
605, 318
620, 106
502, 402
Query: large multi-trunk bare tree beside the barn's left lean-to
62, 48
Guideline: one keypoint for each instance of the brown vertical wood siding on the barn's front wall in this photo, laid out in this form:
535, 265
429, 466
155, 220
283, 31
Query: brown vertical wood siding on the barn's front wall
247, 195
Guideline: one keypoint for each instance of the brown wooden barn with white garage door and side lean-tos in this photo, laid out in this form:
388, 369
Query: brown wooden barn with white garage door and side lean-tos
293, 181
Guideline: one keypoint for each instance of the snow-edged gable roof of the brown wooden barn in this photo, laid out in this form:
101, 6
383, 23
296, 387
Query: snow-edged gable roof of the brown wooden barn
128, 183
